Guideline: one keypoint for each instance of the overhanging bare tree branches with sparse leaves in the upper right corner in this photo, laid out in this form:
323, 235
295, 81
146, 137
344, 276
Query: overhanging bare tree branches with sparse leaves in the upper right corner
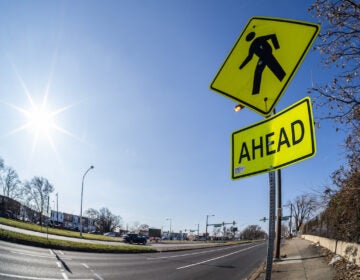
339, 46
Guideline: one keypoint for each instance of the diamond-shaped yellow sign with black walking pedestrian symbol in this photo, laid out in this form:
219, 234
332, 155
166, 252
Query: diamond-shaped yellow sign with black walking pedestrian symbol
263, 61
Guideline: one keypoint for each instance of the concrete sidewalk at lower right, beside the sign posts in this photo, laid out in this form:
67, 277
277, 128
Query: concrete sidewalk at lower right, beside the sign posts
303, 261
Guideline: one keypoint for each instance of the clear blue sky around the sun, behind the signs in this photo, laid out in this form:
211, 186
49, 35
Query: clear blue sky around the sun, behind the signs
131, 79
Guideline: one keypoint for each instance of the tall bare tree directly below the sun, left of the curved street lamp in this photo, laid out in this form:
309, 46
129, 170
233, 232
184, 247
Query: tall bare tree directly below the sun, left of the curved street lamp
38, 191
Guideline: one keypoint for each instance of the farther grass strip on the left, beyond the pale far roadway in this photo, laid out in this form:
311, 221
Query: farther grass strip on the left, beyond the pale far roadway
56, 231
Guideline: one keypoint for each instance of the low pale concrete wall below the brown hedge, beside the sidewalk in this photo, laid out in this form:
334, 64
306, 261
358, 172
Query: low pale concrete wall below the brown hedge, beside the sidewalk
350, 251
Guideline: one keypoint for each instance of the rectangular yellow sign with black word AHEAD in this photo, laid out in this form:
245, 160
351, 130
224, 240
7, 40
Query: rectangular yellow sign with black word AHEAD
278, 141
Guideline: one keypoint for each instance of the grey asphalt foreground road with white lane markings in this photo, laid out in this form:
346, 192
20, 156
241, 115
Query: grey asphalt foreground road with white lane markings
230, 262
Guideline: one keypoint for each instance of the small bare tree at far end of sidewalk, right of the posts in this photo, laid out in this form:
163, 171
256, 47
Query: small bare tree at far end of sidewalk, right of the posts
303, 207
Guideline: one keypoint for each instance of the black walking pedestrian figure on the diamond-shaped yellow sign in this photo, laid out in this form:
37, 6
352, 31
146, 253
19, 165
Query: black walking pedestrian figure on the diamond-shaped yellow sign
263, 50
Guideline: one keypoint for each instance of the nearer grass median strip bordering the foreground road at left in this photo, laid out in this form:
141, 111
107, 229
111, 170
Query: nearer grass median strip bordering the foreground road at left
16, 237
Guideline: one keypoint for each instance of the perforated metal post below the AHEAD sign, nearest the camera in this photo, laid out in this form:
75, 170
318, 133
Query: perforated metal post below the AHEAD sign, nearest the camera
270, 251
